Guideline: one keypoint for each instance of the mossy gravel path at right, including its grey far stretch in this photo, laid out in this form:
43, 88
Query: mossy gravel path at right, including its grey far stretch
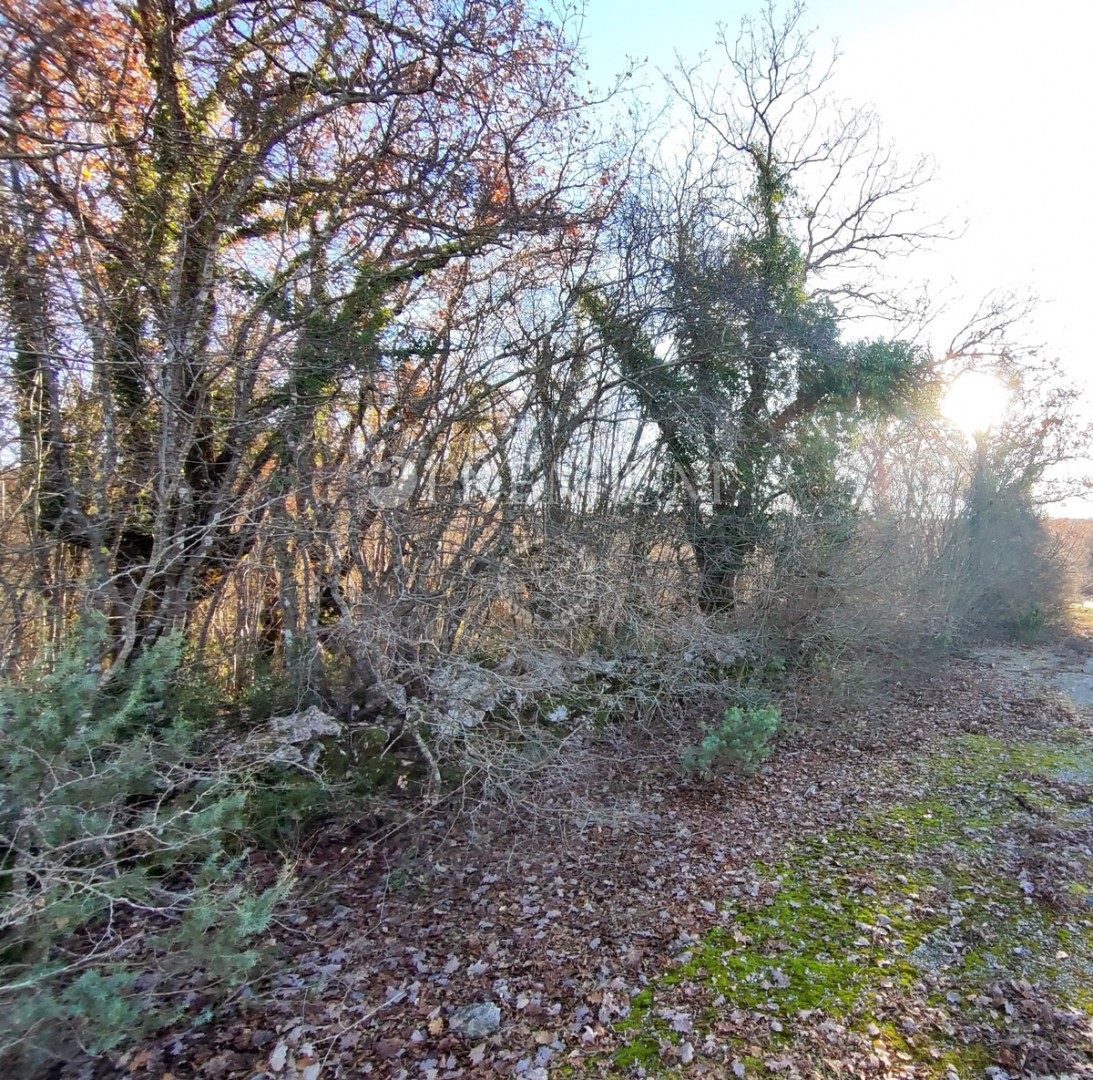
946, 933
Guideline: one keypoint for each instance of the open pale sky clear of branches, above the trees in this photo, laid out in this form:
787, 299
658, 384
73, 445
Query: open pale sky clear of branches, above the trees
997, 92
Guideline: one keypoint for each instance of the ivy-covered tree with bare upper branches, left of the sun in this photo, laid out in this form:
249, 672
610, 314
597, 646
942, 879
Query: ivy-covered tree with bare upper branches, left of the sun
742, 266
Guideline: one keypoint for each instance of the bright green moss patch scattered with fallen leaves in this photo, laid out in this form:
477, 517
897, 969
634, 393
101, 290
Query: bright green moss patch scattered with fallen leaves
919, 908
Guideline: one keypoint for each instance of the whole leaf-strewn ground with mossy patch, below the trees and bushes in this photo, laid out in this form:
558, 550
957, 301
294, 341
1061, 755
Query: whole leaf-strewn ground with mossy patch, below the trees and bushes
904, 895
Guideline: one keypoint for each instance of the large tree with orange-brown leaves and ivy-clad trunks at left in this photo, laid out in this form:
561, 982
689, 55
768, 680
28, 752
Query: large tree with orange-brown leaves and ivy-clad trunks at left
211, 220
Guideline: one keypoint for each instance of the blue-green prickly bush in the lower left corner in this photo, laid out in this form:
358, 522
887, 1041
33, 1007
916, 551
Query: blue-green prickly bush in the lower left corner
124, 893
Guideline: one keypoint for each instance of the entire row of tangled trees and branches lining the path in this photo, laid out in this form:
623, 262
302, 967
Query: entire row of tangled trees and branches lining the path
354, 353
